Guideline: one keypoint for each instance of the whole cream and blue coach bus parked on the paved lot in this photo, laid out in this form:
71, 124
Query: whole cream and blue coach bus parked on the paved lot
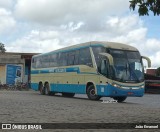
96, 68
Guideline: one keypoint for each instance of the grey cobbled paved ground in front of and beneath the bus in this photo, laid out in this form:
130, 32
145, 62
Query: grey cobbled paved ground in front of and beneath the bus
31, 107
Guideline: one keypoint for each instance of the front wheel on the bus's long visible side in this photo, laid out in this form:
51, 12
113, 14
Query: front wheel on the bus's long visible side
91, 93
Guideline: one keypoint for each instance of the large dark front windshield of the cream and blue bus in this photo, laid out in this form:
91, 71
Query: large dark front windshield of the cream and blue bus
127, 66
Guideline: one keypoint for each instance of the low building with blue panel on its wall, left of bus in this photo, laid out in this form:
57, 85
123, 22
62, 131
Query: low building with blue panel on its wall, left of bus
15, 67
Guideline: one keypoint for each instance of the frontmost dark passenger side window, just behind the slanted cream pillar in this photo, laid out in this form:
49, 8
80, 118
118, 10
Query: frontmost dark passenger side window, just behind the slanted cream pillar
85, 57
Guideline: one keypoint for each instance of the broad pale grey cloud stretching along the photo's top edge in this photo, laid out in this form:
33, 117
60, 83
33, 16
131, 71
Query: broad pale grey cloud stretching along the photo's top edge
65, 11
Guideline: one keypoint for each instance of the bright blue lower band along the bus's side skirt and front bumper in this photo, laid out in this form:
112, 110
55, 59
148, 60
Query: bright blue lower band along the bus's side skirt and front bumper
102, 90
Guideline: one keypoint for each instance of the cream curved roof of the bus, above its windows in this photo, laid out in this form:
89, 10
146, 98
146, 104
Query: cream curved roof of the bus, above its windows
112, 45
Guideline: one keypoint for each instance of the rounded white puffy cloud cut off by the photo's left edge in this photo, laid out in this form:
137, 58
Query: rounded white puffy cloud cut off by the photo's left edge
7, 22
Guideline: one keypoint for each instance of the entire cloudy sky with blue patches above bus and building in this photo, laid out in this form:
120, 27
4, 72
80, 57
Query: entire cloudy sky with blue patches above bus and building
39, 26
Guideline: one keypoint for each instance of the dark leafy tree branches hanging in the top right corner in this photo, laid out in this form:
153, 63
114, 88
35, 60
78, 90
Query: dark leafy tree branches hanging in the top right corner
145, 6
